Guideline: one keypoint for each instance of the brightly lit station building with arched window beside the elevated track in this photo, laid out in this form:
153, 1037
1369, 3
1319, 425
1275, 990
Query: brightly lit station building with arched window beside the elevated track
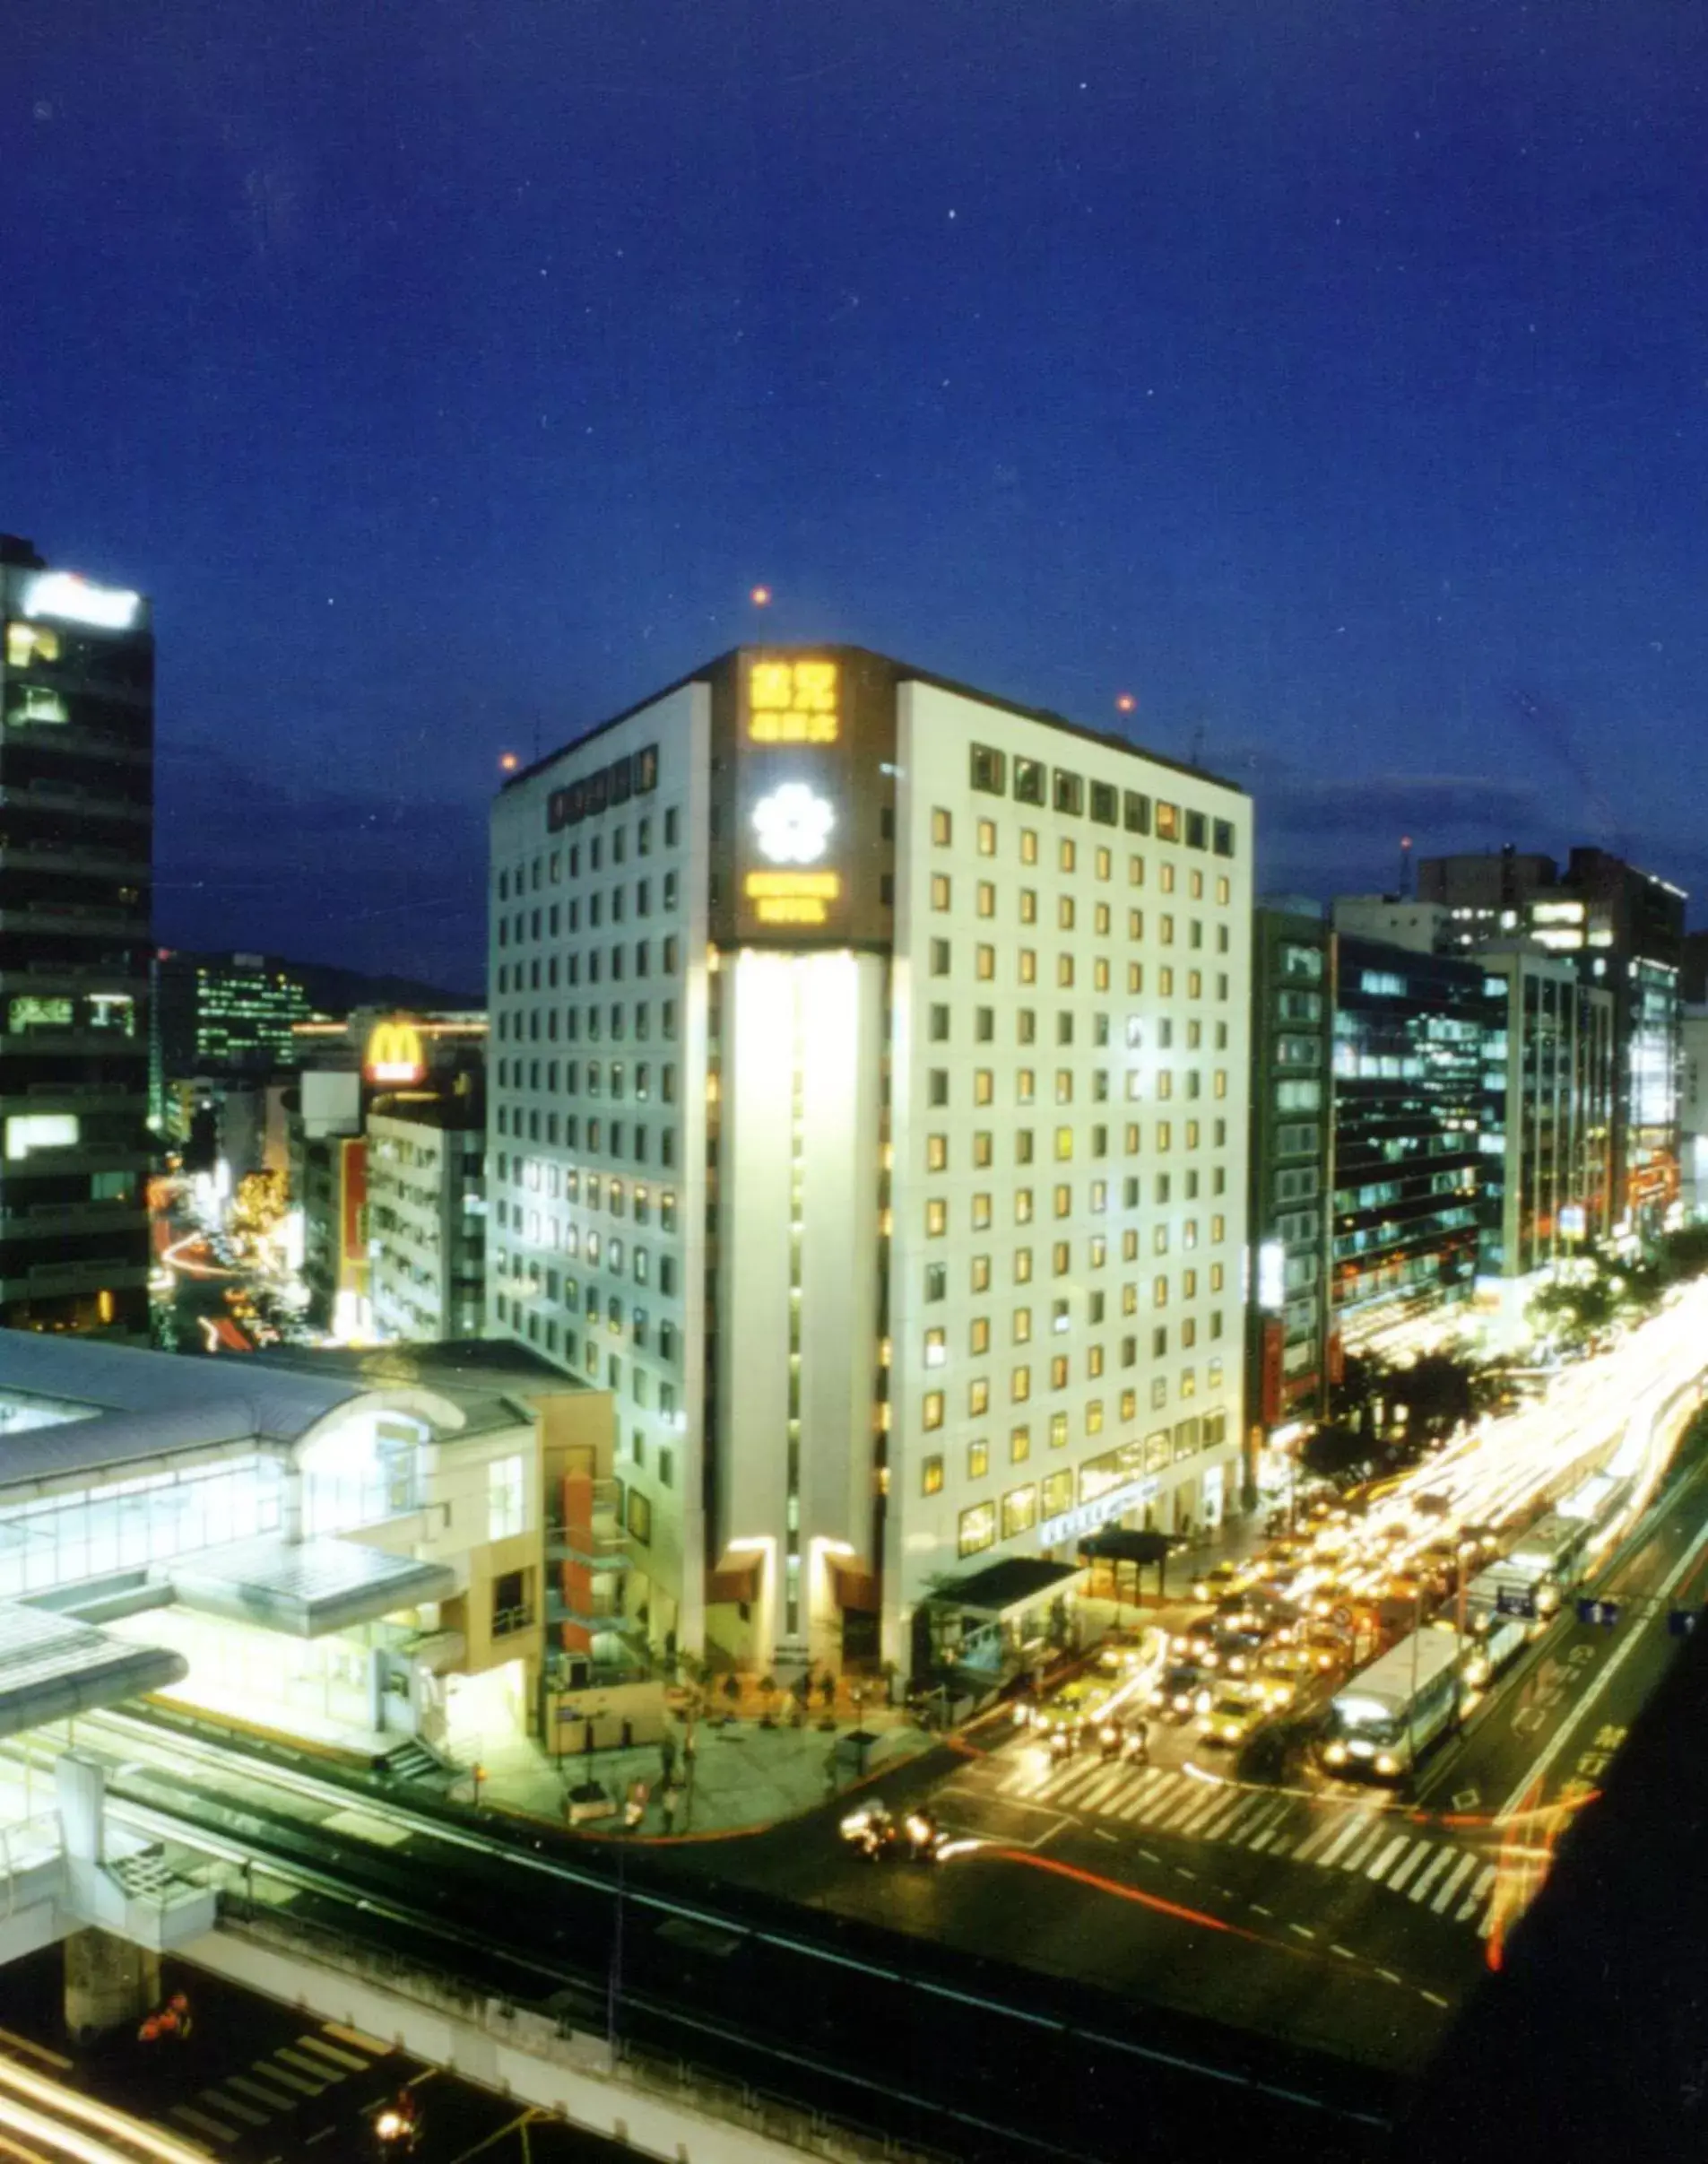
341, 1548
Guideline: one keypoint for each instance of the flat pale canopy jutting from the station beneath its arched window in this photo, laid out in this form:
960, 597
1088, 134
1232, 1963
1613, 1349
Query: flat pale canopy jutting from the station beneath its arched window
306, 1589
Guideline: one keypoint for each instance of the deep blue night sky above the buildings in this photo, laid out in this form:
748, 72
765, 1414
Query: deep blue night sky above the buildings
1332, 378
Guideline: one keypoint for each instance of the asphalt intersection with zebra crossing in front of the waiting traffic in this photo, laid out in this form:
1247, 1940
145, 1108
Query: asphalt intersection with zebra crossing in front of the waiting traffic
1339, 1918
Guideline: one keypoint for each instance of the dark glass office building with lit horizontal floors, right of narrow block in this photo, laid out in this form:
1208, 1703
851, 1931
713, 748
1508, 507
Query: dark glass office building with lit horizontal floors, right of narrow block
1410, 1107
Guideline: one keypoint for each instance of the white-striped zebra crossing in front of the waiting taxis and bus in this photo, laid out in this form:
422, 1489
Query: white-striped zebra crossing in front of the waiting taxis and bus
1367, 1840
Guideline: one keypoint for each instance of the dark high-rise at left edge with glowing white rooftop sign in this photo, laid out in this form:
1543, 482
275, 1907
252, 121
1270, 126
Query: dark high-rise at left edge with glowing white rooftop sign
77, 832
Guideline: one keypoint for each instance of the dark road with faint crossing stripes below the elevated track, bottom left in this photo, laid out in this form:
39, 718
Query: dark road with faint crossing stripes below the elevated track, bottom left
267, 2085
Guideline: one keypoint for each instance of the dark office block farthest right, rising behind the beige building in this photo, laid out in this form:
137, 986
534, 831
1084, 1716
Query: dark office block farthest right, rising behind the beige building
1620, 929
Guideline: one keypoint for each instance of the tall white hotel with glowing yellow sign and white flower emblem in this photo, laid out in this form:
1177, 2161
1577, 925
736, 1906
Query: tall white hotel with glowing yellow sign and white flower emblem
869, 1116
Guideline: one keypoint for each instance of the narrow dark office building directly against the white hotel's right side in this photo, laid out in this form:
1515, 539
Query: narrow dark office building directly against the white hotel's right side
1287, 1386
